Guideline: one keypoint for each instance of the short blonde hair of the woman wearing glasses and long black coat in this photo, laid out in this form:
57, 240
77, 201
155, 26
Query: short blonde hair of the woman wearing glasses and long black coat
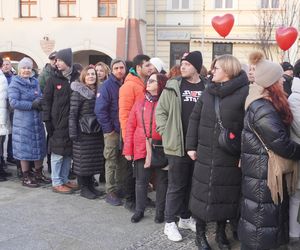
230, 65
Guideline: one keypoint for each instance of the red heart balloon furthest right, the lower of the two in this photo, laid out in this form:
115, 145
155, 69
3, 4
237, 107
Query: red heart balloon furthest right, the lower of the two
285, 37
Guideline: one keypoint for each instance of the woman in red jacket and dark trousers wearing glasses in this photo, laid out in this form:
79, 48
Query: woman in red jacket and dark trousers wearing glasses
140, 126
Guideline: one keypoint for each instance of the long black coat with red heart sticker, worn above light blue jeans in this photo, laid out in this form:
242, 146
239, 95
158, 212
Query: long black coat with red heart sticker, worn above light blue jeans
56, 108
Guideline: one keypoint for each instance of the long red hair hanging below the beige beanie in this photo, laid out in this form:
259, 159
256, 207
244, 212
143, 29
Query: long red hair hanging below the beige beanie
279, 100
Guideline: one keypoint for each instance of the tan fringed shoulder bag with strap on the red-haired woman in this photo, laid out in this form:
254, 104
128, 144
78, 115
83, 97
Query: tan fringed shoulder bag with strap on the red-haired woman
279, 167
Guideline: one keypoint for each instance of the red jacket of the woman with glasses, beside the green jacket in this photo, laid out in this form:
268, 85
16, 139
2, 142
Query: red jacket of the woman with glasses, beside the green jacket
135, 139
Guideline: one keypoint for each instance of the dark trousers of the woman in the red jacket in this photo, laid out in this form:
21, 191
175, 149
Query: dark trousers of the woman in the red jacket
143, 176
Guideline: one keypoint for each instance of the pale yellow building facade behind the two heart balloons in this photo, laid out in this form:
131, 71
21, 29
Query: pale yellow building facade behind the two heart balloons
177, 26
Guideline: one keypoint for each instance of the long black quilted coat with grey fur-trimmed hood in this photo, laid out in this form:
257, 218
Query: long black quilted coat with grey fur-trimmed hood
87, 148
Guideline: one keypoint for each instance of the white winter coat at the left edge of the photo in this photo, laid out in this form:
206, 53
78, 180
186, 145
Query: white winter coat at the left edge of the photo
4, 115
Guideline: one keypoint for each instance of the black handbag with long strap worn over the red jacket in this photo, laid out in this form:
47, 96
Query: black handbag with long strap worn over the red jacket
158, 158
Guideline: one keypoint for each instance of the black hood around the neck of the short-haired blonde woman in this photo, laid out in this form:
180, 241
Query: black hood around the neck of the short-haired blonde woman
229, 87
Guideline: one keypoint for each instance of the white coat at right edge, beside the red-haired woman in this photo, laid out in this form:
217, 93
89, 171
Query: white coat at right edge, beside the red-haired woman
294, 101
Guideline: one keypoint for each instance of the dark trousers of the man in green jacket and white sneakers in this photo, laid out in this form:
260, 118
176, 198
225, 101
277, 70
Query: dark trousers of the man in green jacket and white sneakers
180, 180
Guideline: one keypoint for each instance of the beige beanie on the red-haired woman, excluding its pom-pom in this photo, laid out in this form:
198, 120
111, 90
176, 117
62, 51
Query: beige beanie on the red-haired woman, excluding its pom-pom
267, 73
